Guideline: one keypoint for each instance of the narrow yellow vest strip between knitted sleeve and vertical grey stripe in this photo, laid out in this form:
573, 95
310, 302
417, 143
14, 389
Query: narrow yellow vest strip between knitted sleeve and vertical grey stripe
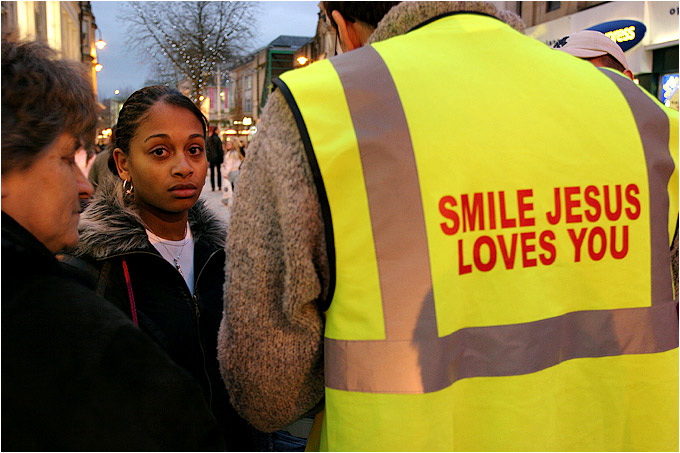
357, 279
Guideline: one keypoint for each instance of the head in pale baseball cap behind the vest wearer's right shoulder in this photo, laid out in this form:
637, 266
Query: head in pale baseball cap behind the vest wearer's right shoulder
597, 48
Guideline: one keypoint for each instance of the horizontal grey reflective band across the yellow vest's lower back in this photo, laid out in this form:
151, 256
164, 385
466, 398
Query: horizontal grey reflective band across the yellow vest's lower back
428, 365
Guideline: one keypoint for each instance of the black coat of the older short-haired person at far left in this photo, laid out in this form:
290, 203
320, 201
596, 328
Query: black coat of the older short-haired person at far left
77, 374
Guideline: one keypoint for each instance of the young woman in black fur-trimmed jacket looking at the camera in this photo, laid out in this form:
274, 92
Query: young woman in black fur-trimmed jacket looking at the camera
157, 248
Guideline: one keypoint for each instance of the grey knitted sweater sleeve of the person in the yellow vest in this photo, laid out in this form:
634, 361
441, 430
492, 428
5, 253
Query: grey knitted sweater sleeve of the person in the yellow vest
270, 344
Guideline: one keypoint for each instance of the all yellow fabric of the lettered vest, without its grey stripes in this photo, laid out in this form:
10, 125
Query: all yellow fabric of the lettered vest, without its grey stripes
602, 404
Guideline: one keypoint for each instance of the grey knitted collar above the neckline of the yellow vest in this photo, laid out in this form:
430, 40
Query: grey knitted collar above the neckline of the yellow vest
406, 15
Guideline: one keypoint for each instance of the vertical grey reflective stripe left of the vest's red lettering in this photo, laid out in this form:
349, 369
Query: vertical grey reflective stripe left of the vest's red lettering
389, 163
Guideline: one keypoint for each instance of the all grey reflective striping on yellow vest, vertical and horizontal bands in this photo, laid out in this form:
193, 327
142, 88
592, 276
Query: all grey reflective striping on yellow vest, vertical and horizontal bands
412, 358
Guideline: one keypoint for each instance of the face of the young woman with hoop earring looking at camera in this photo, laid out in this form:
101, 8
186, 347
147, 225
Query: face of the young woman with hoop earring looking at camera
166, 163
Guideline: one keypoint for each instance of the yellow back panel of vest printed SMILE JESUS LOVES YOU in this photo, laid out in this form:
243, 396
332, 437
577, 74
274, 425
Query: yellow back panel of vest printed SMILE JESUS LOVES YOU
507, 160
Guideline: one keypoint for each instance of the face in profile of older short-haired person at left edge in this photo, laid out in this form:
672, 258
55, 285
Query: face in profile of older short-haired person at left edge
45, 197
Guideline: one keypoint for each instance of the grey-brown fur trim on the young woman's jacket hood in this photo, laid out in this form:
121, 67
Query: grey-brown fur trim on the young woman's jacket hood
109, 226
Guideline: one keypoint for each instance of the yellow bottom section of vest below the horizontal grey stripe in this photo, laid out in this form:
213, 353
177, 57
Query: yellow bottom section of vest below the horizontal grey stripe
604, 404
